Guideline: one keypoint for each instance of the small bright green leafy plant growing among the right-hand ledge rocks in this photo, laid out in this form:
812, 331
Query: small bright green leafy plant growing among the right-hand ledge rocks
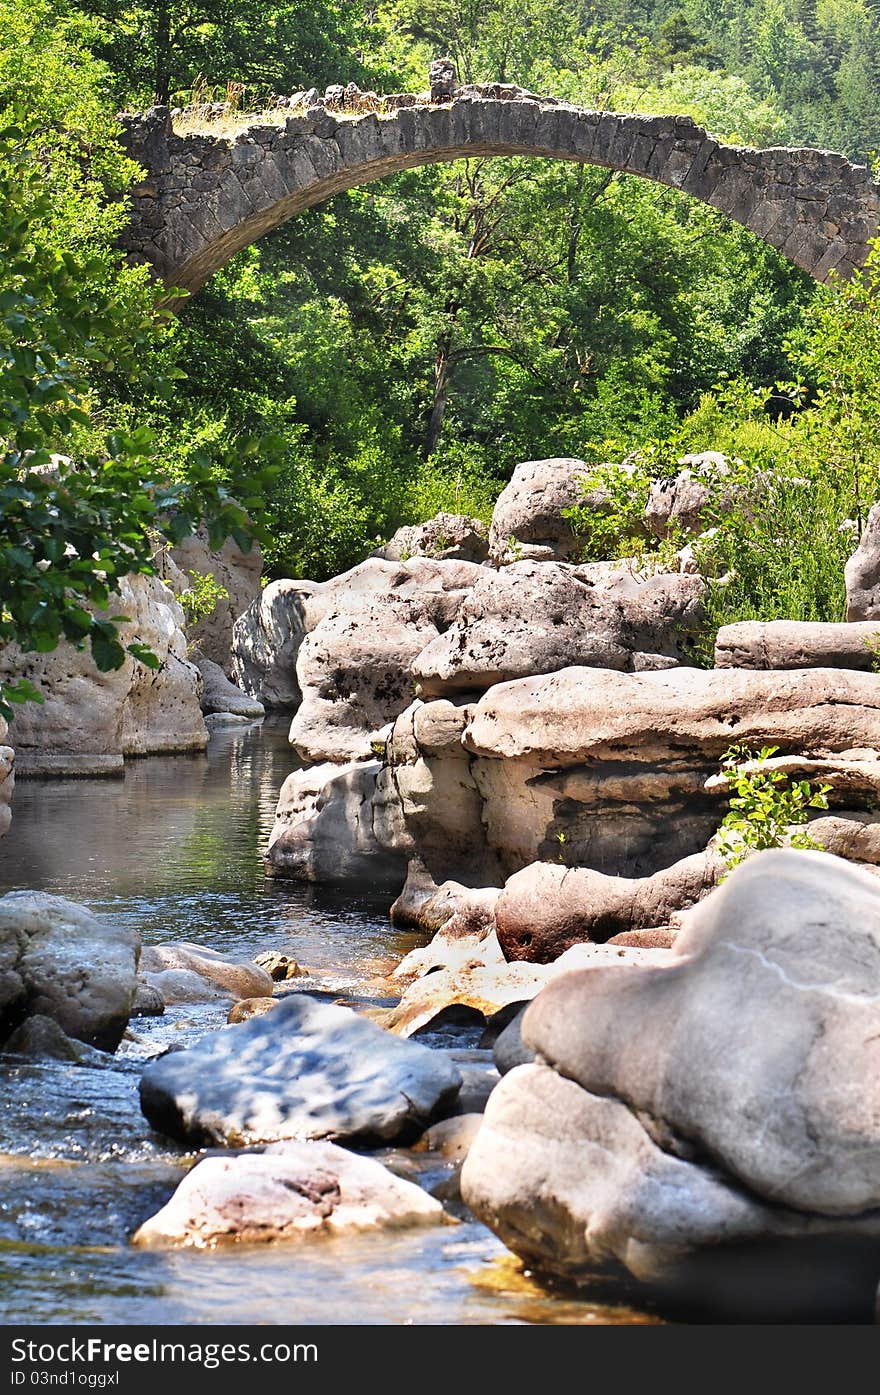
765, 806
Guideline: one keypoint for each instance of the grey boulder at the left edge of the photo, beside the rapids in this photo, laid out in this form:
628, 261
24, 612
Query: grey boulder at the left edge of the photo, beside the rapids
59, 960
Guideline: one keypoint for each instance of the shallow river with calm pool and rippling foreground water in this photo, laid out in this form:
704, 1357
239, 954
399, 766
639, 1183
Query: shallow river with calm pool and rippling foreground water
174, 850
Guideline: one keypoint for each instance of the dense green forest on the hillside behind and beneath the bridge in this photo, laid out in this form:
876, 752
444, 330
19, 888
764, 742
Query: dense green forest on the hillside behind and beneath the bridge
400, 349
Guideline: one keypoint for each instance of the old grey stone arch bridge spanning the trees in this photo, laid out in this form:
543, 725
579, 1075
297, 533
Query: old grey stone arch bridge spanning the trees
206, 197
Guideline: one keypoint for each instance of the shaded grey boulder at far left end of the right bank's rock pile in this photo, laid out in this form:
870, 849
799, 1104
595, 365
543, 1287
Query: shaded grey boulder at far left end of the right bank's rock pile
266, 644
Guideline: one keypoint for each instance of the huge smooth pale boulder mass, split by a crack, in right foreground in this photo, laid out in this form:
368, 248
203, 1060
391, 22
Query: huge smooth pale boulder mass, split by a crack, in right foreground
727, 1096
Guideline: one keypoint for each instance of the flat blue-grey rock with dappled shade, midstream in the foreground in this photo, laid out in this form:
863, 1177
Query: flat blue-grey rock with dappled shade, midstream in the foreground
306, 1071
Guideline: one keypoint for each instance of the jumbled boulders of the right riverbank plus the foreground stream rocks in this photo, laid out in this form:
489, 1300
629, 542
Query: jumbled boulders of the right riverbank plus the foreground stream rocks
644, 1065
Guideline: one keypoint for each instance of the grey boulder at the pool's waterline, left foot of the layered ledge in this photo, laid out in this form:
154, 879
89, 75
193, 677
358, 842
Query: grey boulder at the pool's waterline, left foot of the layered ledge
324, 829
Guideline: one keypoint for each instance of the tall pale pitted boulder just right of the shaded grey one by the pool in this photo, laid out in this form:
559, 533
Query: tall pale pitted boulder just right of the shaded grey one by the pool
366, 628
